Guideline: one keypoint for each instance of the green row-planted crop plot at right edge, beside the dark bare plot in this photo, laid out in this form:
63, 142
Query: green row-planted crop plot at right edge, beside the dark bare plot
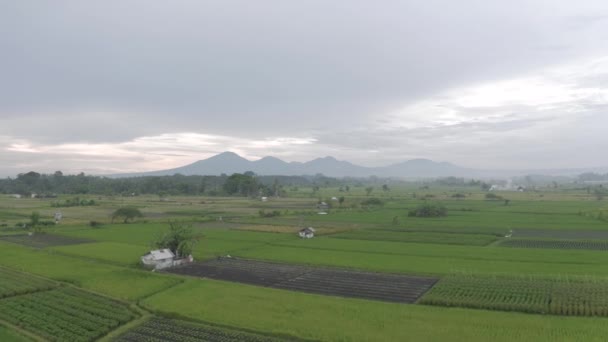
556, 295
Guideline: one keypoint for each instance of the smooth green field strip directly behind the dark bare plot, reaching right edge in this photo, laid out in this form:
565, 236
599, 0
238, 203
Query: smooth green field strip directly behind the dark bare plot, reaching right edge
430, 259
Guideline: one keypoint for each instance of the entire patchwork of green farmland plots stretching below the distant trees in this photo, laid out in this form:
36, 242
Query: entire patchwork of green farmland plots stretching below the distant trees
369, 274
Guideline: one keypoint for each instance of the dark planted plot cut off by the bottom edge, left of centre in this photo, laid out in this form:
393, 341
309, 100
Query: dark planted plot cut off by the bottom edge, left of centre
158, 329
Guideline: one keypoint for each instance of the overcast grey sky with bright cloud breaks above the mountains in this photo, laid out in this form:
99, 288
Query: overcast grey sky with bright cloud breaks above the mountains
135, 85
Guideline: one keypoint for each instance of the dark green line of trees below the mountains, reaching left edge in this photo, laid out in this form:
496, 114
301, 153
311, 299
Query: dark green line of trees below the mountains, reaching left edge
245, 184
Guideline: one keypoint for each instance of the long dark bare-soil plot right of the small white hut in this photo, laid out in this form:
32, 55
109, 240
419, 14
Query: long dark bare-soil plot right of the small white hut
327, 281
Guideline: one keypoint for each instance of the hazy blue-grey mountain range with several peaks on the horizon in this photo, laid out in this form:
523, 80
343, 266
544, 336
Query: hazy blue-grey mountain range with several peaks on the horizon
230, 162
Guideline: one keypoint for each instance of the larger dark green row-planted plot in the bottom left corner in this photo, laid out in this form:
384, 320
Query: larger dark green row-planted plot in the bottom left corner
64, 314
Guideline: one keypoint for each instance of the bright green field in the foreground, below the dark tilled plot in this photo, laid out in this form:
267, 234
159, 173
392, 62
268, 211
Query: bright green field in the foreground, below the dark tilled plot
340, 319
